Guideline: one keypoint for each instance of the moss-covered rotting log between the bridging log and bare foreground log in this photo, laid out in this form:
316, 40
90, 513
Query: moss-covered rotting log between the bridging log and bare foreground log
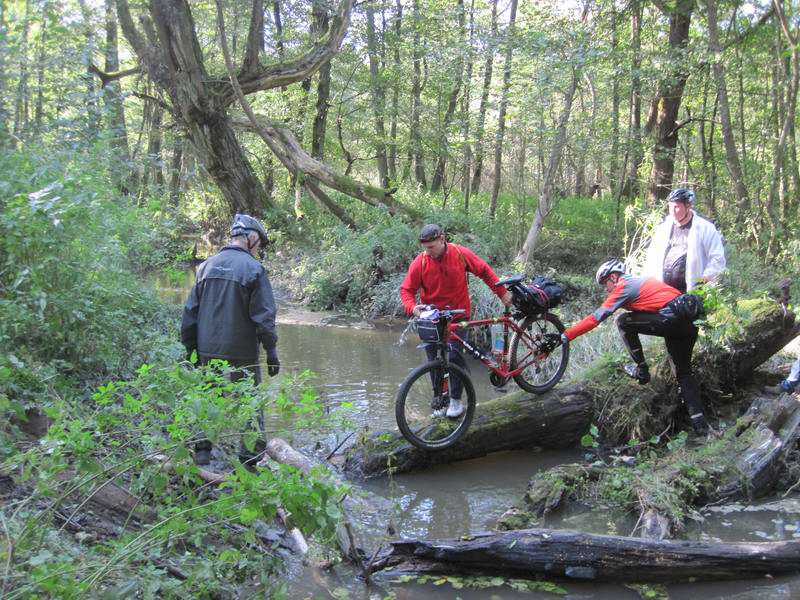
744, 463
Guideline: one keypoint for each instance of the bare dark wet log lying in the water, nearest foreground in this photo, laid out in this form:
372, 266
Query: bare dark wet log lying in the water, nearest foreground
582, 556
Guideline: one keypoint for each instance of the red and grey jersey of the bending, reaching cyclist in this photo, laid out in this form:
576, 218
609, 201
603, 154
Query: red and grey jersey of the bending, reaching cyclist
639, 294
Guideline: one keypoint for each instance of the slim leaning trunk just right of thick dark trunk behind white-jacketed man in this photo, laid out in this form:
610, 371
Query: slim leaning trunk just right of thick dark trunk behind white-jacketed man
731, 153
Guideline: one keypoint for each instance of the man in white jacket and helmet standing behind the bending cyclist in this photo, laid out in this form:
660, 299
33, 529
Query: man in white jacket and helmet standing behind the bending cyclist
686, 249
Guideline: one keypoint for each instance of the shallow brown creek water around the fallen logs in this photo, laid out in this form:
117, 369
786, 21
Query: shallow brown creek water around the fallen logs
363, 364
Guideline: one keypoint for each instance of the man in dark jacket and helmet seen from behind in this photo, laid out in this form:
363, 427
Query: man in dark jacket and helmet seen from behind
230, 311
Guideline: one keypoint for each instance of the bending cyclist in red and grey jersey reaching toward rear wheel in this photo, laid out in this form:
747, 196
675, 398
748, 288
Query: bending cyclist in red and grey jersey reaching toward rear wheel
654, 309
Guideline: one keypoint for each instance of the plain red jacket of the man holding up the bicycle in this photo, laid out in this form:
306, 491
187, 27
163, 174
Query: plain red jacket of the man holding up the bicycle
443, 281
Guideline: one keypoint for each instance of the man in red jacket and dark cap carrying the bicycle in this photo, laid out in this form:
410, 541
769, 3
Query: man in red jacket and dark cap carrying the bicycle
439, 275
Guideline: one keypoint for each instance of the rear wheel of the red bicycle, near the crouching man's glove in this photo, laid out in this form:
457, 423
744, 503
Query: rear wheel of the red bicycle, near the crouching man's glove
540, 370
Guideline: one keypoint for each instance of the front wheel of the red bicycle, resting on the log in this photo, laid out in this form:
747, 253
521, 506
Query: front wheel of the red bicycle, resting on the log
425, 390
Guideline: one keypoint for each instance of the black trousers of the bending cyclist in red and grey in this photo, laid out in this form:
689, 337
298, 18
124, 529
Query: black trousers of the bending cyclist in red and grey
679, 336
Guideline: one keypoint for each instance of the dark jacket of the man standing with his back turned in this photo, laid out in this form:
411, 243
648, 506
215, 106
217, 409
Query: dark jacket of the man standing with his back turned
230, 309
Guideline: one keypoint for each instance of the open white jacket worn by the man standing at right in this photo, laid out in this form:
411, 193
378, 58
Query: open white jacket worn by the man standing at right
705, 257
